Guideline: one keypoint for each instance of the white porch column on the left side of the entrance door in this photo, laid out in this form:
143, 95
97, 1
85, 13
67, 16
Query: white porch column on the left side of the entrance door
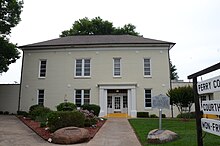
103, 102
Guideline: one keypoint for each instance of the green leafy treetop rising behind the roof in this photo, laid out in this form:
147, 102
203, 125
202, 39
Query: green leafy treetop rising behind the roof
97, 26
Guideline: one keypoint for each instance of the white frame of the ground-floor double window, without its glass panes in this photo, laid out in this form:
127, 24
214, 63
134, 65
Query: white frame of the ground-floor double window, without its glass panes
82, 98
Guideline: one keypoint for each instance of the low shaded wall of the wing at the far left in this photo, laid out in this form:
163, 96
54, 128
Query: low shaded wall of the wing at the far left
9, 94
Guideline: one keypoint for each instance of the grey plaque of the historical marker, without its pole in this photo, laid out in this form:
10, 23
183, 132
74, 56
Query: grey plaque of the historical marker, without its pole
161, 102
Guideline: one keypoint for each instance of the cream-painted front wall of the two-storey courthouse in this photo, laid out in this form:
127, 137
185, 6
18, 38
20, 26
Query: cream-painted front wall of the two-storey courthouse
60, 81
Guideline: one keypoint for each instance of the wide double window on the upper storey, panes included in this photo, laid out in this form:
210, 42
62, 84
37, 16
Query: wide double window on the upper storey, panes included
82, 68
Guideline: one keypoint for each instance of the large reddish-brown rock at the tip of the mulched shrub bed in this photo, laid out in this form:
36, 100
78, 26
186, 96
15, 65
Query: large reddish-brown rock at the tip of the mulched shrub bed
70, 135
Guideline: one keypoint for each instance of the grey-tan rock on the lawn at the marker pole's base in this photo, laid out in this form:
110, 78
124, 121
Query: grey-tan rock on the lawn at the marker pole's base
161, 136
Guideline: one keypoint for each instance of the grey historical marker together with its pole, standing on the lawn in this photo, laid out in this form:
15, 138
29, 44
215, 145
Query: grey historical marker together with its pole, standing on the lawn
160, 102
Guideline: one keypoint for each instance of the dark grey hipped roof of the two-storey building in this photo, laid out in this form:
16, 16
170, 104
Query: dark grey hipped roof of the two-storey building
86, 40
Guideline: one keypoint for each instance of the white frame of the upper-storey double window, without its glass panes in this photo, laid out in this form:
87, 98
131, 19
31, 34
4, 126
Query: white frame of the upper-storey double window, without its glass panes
83, 68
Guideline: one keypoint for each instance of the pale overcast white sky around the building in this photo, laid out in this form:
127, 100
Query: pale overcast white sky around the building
194, 25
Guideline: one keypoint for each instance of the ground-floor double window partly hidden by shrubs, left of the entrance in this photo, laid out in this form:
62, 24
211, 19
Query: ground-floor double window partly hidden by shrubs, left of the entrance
82, 97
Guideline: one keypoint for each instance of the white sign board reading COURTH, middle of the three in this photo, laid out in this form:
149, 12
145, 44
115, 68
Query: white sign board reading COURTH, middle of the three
211, 107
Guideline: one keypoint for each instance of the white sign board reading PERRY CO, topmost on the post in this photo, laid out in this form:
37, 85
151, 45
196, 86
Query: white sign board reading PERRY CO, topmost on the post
209, 86
